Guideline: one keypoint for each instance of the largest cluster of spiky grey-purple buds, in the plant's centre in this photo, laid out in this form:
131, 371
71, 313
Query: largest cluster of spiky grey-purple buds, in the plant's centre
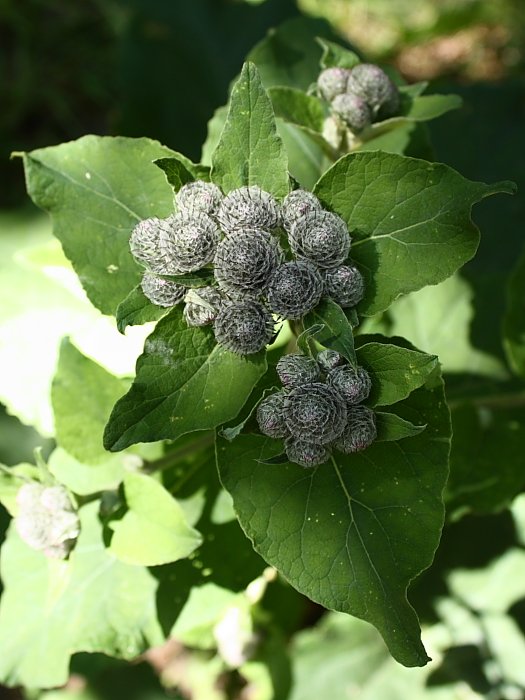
267, 260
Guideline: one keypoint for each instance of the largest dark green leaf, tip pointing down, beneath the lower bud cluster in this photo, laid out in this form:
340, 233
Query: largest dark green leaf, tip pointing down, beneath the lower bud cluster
351, 534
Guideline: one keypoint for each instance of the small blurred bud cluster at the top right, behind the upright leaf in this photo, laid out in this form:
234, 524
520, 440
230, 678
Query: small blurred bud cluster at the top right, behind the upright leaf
358, 96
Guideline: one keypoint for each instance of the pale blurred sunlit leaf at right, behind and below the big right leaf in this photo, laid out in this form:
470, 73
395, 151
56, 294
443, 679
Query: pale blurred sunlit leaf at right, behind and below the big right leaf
437, 320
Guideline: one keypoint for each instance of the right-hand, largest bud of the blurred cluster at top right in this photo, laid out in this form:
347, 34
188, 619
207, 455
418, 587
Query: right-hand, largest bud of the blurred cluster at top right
373, 85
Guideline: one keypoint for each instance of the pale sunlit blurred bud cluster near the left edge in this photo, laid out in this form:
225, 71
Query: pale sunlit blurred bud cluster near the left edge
46, 519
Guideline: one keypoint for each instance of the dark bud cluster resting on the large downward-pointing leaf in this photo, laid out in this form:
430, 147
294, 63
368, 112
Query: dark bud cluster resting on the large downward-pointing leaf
319, 408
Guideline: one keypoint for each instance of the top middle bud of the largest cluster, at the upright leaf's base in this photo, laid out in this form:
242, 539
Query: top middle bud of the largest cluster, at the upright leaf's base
248, 207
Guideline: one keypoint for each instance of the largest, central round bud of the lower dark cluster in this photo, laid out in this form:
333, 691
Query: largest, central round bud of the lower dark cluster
315, 413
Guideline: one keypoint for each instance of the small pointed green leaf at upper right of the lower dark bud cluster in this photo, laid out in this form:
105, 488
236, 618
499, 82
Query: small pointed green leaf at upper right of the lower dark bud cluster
396, 371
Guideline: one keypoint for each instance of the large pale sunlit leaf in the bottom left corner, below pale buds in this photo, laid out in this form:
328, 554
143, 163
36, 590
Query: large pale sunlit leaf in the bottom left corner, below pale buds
52, 609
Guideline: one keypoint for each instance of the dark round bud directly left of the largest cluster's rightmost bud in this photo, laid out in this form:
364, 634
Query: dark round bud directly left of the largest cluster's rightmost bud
295, 289
